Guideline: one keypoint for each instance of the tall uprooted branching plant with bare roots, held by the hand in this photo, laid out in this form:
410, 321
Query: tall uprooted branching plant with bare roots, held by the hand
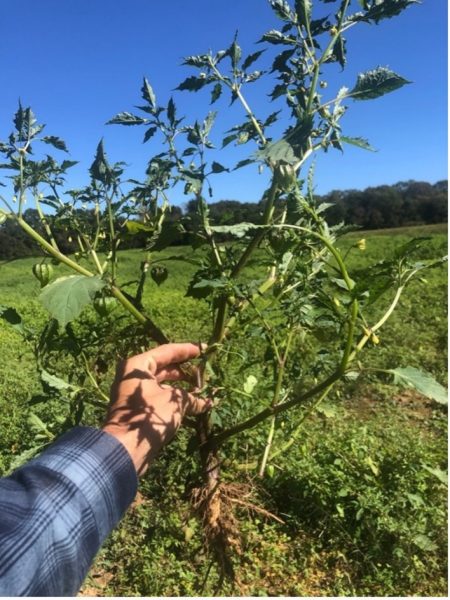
279, 341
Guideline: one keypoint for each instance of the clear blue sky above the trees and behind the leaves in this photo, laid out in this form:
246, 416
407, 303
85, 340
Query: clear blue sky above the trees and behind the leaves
79, 62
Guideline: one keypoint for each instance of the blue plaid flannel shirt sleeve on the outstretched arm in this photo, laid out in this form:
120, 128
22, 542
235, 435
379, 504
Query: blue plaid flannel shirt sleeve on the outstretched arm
56, 511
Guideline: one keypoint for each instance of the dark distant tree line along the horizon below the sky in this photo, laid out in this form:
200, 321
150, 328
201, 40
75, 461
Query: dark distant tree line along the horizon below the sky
404, 203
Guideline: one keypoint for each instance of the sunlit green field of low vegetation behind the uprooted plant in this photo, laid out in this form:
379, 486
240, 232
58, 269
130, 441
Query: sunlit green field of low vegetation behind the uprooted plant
356, 507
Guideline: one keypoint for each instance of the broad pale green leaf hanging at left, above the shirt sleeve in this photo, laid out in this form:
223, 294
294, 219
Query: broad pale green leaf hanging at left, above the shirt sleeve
66, 297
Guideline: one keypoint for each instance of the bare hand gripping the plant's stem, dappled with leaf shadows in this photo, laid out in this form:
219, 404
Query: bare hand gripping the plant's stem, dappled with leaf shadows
145, 414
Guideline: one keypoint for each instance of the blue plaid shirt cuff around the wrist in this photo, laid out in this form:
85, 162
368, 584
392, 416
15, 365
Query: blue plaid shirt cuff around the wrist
100, 467
